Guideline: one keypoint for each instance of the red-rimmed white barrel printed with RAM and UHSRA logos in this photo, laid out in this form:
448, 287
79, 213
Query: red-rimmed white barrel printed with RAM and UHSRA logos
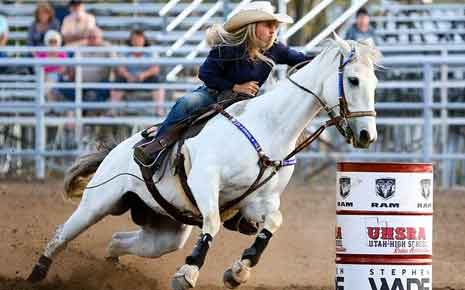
384, 233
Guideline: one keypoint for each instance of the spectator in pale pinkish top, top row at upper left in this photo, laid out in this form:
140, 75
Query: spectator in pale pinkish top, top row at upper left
78, 23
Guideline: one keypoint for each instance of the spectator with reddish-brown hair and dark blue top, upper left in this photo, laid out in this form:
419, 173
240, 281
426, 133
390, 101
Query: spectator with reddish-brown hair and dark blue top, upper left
44, 21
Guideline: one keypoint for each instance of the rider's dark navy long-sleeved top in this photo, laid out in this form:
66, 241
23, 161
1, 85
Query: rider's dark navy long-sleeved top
226, 66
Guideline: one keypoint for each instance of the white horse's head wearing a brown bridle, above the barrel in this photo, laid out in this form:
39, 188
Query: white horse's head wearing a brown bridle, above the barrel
349, 89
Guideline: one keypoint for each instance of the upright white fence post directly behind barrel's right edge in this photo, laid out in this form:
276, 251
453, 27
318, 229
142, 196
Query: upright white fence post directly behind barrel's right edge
428, 112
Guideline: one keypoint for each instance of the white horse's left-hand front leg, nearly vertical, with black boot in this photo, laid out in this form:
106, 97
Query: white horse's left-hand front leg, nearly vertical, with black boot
204, 185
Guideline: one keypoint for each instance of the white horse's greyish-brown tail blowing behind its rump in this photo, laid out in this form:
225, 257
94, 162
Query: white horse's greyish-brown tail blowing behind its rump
78, 175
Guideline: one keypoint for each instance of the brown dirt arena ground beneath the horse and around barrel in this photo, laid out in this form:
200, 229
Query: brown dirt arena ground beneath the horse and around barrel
300, 256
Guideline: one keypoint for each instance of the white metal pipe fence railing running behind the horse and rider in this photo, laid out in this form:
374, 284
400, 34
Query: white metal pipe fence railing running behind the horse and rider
435, 120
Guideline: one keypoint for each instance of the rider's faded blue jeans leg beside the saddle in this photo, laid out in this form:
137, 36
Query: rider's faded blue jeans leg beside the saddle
198, 99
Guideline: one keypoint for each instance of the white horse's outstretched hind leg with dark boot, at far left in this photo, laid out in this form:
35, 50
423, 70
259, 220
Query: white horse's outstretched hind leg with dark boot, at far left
88, 213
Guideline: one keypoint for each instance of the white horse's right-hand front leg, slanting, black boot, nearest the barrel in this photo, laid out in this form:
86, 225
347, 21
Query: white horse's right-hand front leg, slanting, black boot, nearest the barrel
240, 271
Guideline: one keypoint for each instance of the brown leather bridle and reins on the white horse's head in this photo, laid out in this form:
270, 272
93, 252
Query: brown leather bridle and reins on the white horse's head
341, 120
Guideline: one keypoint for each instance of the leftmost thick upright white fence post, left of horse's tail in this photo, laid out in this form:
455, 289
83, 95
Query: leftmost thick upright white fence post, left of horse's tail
40, 124
